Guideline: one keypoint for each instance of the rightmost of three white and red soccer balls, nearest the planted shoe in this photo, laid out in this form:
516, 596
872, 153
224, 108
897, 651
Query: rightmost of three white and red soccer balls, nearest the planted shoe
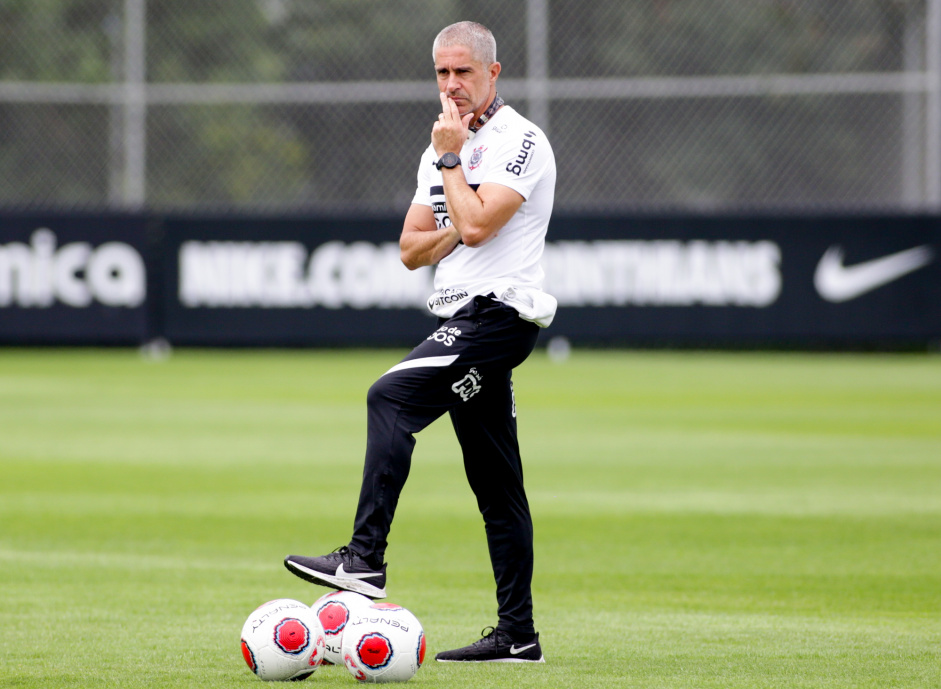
383, 643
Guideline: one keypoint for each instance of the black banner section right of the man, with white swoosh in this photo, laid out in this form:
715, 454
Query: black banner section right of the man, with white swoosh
832, 280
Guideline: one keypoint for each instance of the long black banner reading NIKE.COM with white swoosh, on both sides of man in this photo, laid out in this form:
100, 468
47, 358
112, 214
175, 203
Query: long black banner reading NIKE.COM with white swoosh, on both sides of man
710, 281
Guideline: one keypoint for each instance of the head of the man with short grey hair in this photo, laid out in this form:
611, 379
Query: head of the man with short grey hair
465, 57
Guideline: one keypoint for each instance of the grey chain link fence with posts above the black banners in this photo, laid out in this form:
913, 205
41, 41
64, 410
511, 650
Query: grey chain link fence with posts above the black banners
325, 105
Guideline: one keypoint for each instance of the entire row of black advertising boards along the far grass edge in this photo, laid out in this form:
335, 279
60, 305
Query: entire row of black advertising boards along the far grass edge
735, 281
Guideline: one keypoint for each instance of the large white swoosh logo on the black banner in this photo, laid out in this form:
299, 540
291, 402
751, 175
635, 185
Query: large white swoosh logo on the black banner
838, 283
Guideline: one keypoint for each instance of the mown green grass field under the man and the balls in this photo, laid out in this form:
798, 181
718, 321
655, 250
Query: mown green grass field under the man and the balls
702, 520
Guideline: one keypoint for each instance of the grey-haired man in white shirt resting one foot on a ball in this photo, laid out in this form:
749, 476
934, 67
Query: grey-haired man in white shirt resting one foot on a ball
485, 191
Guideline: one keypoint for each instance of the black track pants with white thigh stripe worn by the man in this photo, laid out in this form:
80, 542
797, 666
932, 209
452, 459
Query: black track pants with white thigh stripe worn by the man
463, 368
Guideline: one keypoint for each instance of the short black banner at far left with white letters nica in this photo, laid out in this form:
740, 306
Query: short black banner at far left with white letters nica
70, 279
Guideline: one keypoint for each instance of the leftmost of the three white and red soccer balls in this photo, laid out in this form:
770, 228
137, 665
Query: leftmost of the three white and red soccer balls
282, 640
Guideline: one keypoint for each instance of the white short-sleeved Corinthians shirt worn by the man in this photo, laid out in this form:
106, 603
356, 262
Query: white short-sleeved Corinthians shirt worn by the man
512, 151
